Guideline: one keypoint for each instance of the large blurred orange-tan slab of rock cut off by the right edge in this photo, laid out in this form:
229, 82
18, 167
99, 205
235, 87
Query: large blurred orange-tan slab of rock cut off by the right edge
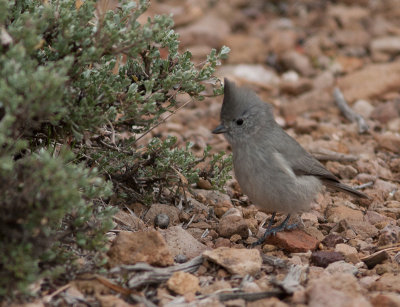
370, 82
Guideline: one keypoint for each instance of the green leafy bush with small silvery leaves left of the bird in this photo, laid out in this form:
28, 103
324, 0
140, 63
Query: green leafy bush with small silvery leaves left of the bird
79, 84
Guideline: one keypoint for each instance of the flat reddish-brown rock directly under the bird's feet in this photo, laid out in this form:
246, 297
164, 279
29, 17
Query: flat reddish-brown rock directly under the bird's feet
294, 241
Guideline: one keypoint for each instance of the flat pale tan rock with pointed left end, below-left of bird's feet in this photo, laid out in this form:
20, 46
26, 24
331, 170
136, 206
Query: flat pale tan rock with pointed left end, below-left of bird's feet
236, 261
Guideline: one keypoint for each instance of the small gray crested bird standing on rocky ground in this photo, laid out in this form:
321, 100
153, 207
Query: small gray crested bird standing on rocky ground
272, 169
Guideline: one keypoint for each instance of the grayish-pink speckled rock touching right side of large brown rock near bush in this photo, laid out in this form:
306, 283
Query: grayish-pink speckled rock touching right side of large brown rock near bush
181, 242
